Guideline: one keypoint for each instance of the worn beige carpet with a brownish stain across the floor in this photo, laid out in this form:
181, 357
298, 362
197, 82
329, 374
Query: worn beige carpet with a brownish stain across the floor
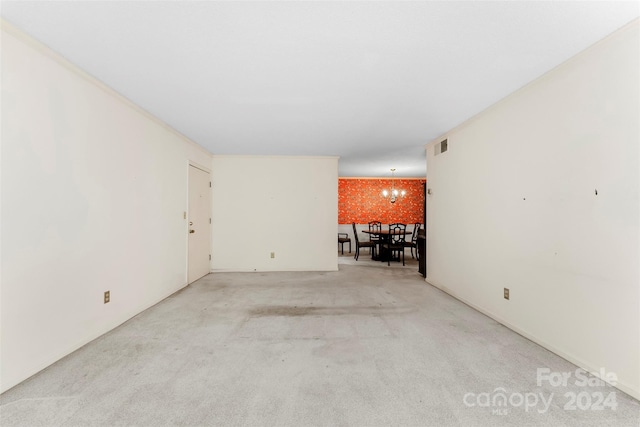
364, 346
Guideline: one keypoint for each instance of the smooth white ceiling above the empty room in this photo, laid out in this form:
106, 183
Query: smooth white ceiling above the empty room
371, 82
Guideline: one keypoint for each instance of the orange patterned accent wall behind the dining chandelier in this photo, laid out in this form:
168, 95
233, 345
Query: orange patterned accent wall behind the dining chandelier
361, 201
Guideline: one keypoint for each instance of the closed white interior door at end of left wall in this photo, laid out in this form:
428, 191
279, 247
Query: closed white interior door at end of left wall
199, 223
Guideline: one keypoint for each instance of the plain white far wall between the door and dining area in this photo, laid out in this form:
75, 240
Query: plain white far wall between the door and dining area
286, 205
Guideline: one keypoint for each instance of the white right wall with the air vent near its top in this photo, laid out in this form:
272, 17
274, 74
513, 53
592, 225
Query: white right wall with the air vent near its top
514, 205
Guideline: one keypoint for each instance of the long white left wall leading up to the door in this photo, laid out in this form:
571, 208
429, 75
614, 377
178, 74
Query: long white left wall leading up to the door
93, 196
